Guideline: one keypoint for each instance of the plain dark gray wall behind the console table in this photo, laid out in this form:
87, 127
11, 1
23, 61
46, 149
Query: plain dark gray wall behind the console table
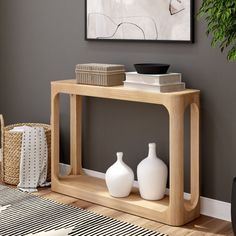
43, 40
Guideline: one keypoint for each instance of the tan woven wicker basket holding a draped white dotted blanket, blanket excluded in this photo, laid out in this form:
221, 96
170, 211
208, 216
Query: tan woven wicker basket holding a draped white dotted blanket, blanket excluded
11, 151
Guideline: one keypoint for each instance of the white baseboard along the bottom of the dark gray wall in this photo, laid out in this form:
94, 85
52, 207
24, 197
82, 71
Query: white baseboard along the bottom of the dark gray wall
209, 207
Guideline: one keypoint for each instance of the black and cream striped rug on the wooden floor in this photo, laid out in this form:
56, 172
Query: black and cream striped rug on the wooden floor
26, 214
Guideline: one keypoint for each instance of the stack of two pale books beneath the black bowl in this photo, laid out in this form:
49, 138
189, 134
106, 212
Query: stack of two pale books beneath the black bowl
163, 83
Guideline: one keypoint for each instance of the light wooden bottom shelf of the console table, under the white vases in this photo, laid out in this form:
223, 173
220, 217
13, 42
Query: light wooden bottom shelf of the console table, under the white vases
94, 190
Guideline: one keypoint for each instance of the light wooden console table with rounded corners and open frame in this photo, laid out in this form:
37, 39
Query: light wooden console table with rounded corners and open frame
173, 209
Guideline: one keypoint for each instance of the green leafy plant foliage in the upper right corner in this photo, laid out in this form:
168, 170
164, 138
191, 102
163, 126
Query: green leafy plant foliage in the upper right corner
221, 19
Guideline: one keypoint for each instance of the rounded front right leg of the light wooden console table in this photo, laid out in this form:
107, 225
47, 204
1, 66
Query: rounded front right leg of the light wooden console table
176, 165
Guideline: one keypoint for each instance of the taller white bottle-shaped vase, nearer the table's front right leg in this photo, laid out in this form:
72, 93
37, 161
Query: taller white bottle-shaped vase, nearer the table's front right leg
152, 176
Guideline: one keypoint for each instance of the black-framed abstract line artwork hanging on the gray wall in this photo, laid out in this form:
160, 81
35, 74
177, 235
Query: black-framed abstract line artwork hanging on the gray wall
149, 20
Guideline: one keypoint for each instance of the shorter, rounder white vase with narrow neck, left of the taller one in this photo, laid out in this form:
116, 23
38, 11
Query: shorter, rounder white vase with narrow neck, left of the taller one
119, 178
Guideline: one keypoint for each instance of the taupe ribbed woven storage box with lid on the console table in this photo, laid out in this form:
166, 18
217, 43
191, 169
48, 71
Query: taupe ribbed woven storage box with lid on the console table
100, 74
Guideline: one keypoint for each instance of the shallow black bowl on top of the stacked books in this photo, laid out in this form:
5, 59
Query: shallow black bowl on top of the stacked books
151, 68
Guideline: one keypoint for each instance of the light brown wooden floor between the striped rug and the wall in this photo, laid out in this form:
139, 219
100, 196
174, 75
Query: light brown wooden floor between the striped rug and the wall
202, 226
